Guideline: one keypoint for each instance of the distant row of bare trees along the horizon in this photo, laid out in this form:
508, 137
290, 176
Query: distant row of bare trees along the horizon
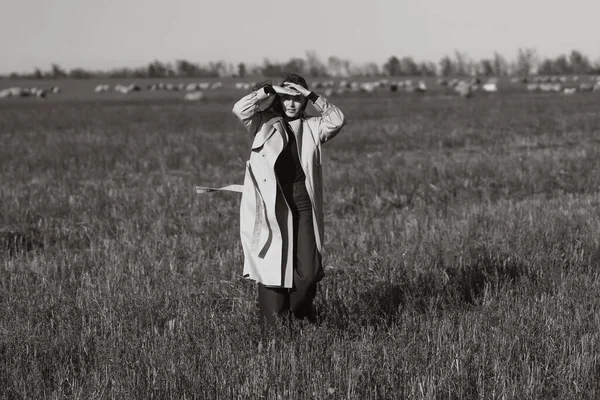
527, 62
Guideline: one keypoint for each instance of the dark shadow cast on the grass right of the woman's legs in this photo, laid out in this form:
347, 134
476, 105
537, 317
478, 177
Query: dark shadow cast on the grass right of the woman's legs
382, 302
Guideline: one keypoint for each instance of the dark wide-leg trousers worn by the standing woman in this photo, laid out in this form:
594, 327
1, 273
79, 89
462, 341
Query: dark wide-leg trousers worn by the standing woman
274, 302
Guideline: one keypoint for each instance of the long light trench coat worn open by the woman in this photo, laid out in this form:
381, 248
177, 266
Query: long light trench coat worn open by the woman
264, 239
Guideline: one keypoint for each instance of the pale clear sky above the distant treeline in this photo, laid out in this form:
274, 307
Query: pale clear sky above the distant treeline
129, 33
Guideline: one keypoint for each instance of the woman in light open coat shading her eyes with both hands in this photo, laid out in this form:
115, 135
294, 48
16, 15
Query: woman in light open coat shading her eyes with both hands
281, 212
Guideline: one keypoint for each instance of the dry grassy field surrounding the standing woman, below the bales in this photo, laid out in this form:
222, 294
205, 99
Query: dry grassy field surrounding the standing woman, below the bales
463, 253
